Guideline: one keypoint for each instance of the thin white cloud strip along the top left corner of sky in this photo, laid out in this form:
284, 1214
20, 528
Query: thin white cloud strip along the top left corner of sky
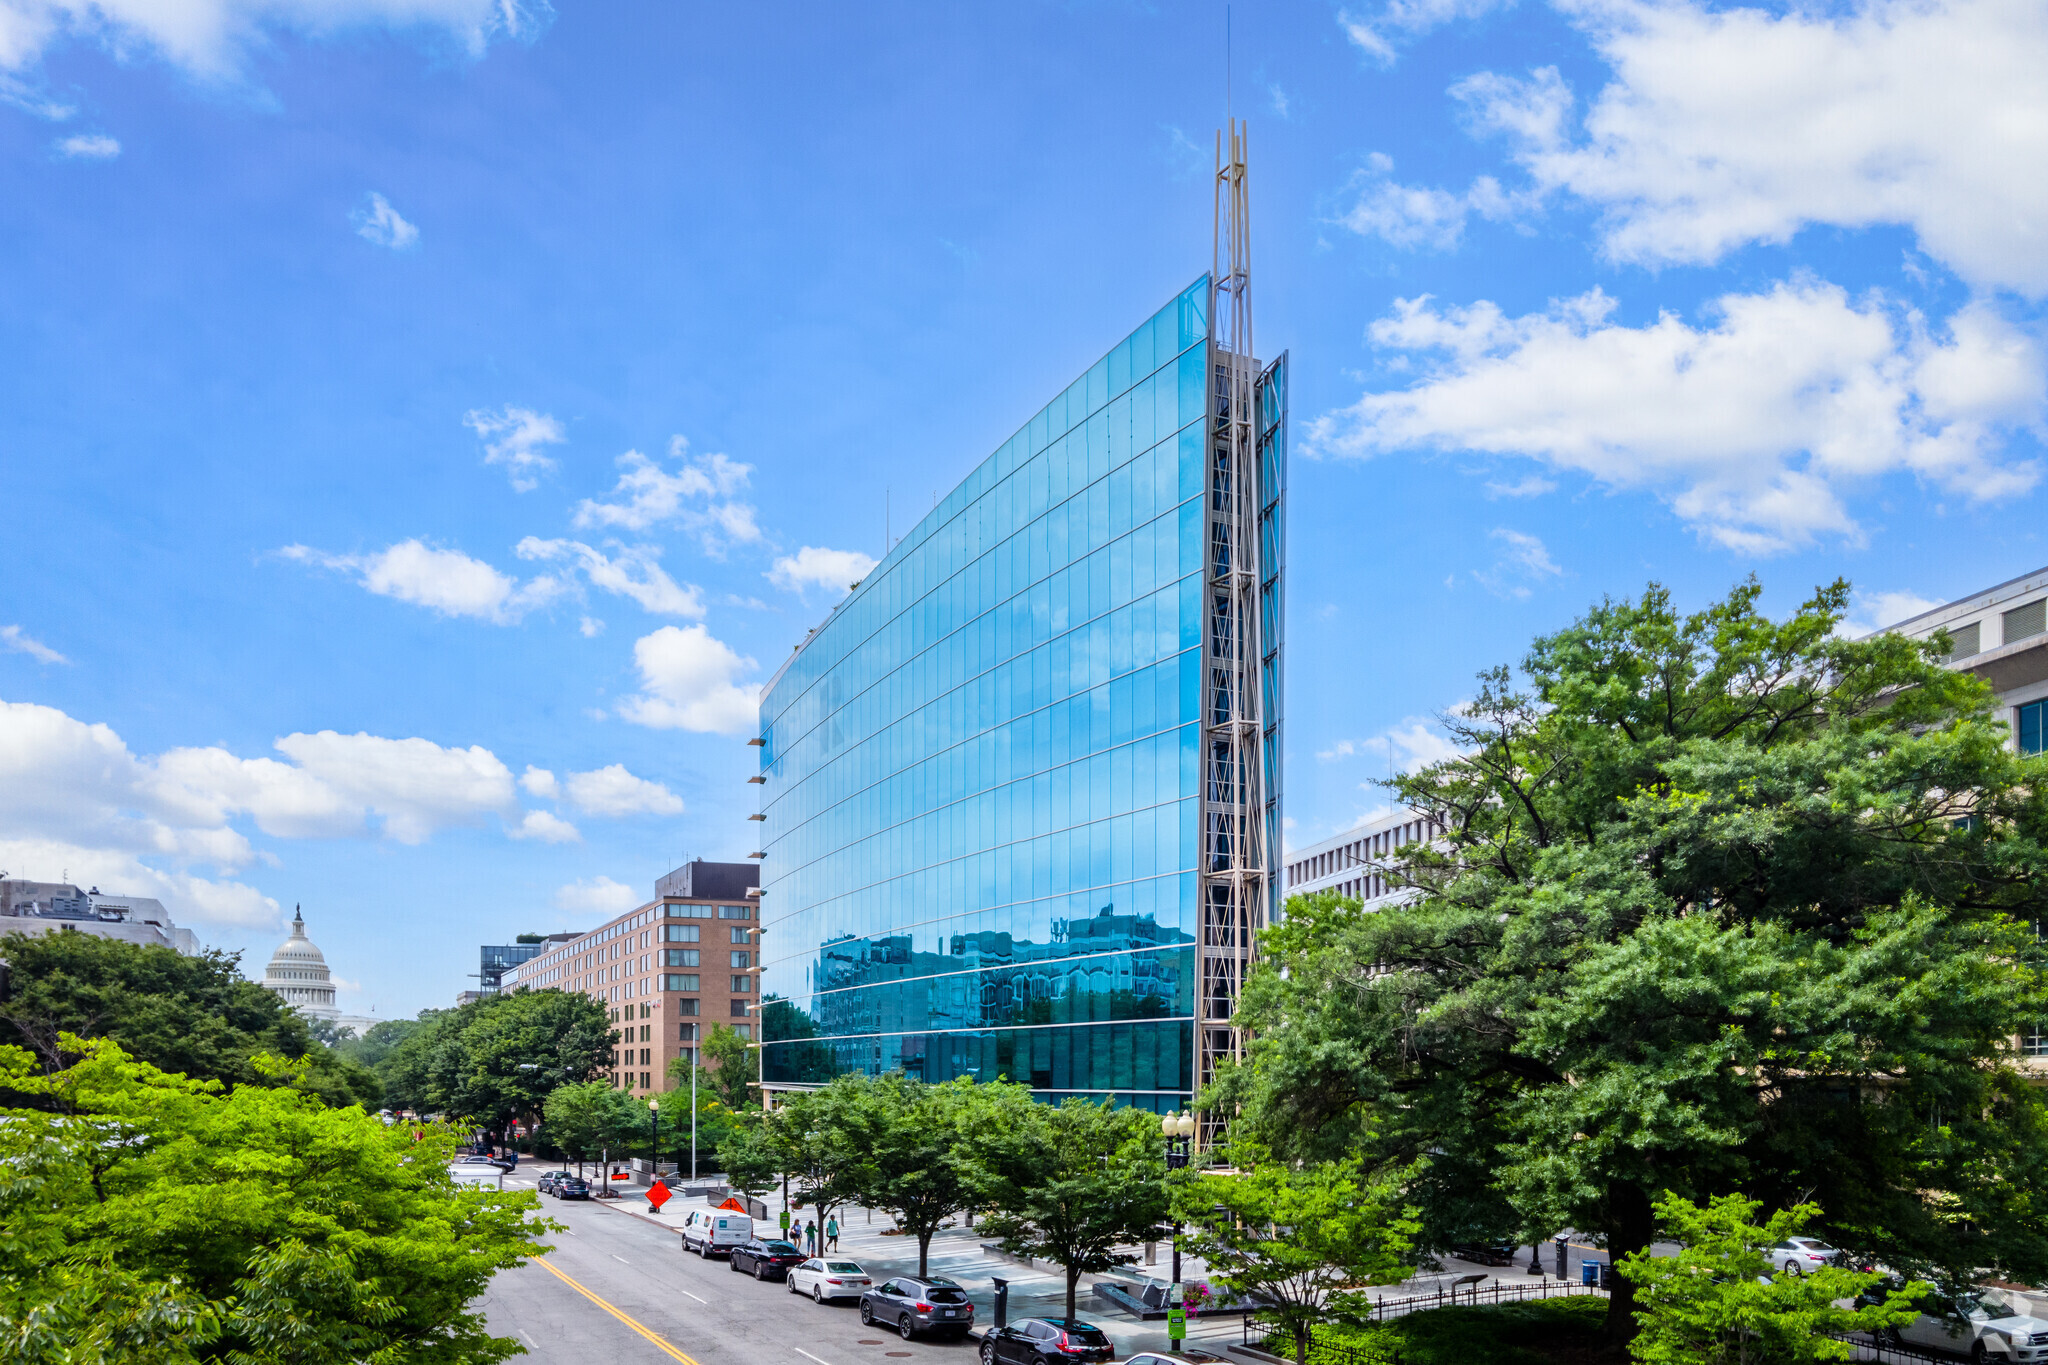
212, 38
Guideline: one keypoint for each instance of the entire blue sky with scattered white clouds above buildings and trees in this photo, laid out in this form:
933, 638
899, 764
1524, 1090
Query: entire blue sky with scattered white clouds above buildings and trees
425, 423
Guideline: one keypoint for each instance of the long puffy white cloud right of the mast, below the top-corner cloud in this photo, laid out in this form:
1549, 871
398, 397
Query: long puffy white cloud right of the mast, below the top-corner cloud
1754, 429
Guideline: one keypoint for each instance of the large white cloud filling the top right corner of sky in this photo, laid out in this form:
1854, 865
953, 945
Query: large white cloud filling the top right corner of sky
1734, 126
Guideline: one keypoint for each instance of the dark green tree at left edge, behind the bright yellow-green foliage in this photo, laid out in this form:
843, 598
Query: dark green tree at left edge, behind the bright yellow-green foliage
187, 1016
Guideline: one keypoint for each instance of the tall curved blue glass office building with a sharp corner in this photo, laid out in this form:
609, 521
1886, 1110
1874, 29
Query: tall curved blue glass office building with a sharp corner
996, 791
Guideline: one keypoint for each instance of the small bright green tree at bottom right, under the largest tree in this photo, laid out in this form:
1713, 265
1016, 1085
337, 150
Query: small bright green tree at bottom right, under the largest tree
1719, 1305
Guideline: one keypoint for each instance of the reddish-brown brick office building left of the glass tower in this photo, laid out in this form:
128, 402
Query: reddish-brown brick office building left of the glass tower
667, 971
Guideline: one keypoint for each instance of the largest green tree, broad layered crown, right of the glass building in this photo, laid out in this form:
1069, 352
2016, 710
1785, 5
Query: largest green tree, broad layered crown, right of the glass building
1721, 904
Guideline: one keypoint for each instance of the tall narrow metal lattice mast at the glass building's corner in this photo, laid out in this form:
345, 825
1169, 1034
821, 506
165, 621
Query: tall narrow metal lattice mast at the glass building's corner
1234, 875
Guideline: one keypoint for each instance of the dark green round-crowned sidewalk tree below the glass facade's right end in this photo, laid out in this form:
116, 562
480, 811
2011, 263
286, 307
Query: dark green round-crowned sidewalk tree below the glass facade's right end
1066, 1184
